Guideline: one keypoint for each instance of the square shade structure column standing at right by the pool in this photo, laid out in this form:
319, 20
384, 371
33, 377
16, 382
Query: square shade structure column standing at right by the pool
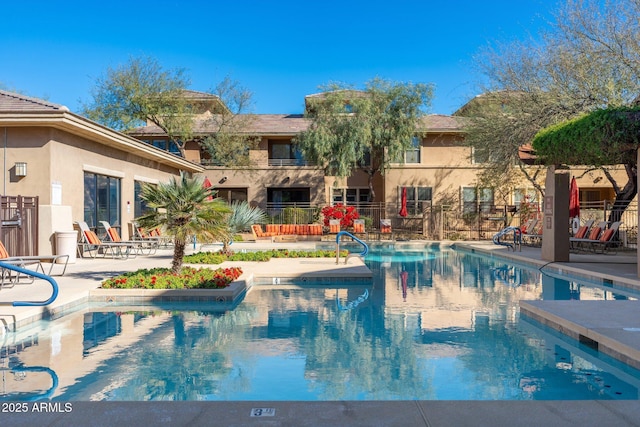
555, 225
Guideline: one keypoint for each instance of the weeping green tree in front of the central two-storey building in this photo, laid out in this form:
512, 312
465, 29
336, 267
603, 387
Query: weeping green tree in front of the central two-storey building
348, 127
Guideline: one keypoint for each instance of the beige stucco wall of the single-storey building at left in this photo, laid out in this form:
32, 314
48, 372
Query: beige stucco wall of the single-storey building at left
57, 160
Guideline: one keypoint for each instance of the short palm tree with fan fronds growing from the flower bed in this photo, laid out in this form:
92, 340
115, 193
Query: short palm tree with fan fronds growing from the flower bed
183, 208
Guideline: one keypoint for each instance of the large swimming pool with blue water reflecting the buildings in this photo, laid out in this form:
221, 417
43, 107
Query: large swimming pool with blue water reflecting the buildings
432, 325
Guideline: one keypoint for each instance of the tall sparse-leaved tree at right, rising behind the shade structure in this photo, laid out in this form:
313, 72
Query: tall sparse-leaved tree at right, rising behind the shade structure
588, 59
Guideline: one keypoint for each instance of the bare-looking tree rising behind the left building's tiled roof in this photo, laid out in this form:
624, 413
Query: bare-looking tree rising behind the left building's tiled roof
139, 92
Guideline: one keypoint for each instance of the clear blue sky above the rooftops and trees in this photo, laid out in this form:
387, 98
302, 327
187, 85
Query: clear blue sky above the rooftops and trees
279, 50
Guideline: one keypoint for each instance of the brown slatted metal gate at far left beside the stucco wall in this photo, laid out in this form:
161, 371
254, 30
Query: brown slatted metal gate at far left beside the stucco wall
19, 225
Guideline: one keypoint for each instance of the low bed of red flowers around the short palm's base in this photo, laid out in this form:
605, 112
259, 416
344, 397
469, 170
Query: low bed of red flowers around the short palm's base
163, 278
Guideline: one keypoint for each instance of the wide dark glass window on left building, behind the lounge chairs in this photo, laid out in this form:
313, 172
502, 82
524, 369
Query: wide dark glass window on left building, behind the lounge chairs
101, 199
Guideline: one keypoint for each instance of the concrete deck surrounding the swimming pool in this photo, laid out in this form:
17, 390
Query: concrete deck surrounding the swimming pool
575, 317
